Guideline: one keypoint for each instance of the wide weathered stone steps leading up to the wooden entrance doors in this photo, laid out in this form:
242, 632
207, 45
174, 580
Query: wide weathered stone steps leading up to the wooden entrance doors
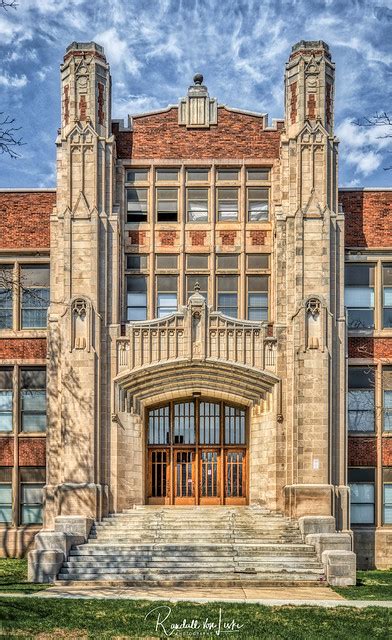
191, 546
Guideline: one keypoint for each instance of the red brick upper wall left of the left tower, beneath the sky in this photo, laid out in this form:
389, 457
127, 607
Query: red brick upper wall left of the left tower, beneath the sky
24, 219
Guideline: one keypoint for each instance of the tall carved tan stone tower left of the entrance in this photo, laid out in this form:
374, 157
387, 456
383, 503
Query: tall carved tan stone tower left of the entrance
83, 229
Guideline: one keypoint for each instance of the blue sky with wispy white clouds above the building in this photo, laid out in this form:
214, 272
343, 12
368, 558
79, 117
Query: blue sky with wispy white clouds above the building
155, 47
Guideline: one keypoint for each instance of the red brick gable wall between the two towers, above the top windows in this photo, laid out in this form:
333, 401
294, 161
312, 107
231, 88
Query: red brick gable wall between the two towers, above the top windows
237, 135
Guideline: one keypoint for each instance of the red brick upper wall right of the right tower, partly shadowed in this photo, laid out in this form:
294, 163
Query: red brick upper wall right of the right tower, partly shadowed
368, 216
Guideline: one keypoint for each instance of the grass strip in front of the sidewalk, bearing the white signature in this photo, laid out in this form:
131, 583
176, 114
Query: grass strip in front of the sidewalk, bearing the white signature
44, 618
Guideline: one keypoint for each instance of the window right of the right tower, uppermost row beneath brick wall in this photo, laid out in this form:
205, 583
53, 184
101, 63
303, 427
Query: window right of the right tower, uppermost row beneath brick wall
359, 296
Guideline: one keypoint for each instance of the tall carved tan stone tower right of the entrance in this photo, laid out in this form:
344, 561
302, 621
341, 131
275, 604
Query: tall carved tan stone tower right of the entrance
310, 311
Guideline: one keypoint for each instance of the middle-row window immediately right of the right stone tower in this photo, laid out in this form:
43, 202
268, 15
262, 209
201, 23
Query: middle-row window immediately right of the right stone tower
361, 399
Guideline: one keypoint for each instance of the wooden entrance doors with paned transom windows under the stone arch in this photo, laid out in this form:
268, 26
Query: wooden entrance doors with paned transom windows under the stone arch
197, 453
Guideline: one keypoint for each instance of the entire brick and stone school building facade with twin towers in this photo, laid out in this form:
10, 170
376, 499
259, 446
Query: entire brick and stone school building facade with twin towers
196, 264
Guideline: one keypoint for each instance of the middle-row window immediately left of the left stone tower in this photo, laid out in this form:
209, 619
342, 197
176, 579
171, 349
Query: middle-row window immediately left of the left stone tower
33, 399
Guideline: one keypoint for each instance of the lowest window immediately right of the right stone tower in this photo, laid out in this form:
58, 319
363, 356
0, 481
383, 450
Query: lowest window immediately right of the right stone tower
362, 495
